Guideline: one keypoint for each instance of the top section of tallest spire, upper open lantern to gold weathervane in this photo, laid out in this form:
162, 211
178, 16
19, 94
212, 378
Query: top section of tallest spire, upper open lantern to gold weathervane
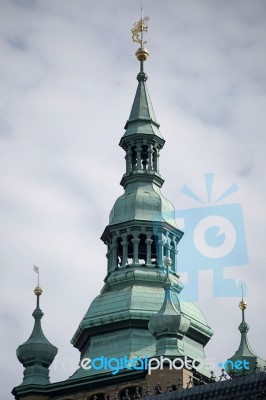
142, 140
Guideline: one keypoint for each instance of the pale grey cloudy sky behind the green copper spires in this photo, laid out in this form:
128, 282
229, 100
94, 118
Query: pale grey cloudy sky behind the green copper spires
67, 79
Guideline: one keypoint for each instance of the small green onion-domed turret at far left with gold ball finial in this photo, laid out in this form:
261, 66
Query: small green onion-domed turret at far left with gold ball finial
37, 353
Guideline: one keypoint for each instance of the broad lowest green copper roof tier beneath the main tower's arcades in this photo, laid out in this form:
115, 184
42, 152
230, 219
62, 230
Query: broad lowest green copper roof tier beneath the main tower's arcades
137, 298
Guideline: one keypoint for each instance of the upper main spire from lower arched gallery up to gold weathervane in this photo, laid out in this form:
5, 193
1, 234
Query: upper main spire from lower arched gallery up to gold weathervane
142, 227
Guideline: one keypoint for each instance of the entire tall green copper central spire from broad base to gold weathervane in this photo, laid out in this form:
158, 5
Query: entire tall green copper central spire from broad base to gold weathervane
142, 231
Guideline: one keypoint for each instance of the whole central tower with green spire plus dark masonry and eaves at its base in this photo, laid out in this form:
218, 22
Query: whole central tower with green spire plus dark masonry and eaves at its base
139, 313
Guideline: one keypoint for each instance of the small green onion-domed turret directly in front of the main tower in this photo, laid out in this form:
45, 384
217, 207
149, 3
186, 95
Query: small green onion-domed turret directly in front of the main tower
169, 325
